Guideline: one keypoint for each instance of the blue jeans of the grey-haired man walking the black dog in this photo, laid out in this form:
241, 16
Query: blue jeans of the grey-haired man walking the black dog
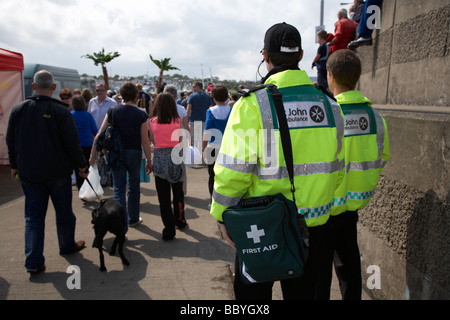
36, 203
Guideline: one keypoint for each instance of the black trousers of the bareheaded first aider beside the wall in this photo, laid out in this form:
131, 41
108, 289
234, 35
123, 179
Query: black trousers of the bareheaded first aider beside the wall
346, 258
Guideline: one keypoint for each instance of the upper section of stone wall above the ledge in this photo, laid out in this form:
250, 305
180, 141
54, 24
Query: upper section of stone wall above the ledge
408, 62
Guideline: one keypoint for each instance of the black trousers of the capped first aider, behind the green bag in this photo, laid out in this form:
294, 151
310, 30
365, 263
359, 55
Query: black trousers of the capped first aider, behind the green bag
308, 287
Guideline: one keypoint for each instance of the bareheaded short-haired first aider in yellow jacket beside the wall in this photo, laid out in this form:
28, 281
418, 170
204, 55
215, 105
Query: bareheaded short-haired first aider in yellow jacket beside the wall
366, 146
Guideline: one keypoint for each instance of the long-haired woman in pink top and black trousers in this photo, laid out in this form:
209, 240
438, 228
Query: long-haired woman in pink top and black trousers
168, 175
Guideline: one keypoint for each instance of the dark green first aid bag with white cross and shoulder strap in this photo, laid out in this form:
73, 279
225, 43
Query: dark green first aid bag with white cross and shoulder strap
271, 238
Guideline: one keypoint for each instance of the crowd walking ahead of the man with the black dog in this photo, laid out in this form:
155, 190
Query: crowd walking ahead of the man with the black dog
142, 118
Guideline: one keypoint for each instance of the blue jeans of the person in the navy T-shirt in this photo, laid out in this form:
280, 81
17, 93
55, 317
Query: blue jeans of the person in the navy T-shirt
132, 167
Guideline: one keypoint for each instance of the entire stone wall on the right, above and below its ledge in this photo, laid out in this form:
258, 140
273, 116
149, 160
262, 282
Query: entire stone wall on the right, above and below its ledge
405, 230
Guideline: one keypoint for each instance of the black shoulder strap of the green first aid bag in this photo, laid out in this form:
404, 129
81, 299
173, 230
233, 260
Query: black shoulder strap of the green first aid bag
284, 134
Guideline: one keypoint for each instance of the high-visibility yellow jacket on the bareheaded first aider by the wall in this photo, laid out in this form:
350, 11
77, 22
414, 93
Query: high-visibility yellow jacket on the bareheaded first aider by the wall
366, 146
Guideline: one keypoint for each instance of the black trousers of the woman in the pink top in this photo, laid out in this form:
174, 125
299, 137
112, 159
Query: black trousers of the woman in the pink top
175, 217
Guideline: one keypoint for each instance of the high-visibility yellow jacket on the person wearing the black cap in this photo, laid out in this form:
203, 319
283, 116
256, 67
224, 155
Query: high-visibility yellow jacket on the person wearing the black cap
251, 162
